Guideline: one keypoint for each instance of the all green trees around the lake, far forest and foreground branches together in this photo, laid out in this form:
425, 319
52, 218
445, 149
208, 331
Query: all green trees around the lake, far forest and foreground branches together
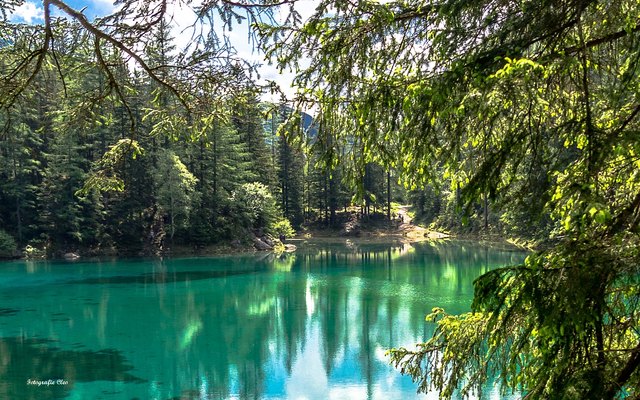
516, 118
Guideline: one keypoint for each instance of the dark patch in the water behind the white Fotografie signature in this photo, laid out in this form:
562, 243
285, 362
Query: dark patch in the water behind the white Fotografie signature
25, 362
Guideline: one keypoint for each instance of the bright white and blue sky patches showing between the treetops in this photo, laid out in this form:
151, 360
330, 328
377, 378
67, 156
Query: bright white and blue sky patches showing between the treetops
31, 12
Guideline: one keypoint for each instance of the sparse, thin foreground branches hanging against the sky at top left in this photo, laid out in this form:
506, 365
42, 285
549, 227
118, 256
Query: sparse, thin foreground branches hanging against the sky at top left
128, 32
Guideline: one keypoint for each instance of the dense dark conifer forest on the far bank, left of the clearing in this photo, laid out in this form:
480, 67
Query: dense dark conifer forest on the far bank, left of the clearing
112, 162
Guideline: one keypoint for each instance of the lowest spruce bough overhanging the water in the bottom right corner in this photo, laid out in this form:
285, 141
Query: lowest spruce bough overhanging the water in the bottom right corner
518, 333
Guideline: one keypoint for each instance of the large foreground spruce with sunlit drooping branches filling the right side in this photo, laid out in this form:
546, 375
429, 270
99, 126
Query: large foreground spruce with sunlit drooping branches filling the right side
533, 104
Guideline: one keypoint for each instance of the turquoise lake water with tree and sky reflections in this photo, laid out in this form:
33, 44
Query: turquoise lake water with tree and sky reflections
314, 324
